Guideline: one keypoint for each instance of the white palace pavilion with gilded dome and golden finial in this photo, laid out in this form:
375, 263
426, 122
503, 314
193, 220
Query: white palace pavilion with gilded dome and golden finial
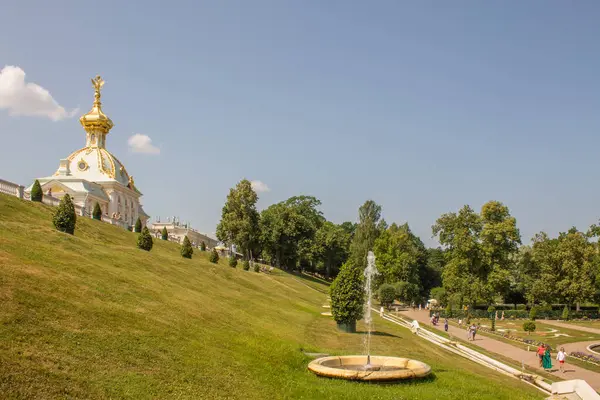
93, 175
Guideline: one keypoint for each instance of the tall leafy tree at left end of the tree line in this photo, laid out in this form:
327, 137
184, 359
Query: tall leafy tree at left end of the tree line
239, 223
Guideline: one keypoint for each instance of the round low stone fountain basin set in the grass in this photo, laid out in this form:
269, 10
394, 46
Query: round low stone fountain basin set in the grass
349, 367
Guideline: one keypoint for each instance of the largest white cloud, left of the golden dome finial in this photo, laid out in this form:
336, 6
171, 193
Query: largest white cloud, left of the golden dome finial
26, 98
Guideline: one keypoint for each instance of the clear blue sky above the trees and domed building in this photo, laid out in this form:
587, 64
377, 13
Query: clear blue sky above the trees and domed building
422, 106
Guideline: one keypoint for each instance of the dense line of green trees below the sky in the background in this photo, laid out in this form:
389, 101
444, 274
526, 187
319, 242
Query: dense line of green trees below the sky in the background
480, 261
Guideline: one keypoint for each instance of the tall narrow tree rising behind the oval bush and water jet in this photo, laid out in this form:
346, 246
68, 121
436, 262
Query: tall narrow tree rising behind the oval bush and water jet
367, 231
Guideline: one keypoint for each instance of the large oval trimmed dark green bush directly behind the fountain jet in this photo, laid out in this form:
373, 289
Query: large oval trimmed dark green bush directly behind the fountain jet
347, 297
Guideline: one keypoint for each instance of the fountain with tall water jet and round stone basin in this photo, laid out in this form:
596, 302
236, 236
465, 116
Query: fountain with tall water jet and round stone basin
367, 367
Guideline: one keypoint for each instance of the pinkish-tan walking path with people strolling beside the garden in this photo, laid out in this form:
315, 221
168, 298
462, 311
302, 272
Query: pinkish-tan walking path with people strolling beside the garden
529, 358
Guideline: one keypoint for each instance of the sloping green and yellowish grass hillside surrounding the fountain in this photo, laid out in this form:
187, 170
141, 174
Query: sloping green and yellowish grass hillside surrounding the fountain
91, 316
